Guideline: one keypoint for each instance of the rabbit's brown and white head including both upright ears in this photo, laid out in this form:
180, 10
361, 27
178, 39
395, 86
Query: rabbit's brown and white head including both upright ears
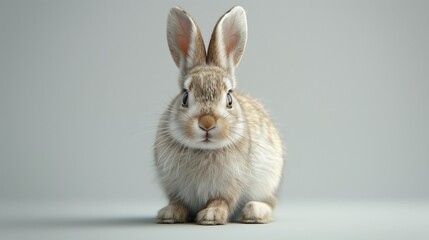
206, 113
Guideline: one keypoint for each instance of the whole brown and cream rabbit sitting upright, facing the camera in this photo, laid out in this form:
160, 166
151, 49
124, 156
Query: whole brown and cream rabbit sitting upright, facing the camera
217, 153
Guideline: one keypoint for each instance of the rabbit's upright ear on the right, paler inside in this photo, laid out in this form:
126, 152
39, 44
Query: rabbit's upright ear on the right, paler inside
228, 39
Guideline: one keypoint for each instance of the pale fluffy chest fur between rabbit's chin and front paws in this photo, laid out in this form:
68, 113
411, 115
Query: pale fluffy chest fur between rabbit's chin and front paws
196, 176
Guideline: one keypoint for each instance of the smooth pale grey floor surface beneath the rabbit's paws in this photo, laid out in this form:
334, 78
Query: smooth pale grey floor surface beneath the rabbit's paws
294, 220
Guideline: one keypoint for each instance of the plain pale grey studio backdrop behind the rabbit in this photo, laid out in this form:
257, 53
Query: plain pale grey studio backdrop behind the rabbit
83, 84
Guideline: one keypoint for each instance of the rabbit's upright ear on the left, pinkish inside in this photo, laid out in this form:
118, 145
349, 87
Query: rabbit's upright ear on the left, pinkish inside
184, 40
